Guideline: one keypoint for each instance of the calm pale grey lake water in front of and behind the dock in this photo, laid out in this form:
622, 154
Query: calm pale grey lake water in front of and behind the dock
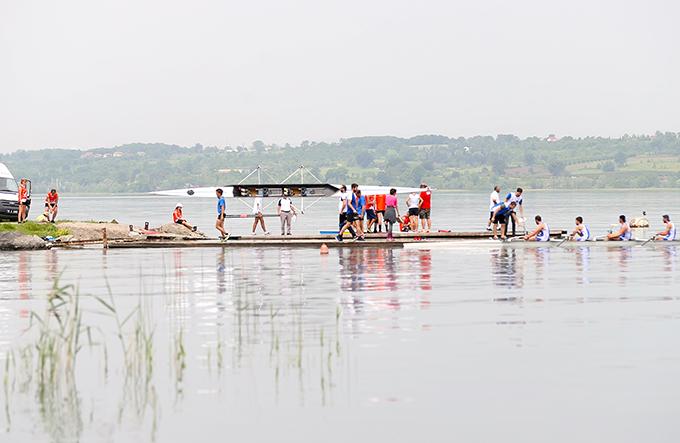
475, 343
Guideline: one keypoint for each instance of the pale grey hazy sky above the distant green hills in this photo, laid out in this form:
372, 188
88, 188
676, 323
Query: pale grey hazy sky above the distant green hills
101, 73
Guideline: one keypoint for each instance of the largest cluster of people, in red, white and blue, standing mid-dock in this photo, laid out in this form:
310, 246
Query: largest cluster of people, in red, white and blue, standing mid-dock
381, 210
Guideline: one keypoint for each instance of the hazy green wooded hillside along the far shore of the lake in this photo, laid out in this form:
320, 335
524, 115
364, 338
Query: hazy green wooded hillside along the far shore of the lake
441, 161
